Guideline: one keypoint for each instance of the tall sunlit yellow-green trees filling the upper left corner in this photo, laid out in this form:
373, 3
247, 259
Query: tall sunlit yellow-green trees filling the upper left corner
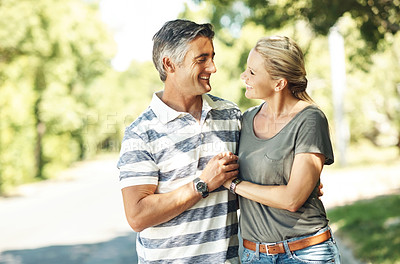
50, 51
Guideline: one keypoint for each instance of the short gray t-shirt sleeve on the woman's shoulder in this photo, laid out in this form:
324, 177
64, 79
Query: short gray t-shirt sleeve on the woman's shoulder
313, 136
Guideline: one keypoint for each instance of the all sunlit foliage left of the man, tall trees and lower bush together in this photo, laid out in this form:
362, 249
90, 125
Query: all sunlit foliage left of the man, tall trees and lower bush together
60, 100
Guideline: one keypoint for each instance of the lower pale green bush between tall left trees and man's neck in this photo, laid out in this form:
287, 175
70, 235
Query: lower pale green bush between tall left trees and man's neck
128, 94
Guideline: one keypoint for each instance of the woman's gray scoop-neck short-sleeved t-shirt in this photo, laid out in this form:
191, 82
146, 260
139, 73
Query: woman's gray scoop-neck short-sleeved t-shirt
269, 162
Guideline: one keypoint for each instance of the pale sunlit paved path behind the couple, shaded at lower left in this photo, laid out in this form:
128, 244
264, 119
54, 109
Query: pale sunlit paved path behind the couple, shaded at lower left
78, 218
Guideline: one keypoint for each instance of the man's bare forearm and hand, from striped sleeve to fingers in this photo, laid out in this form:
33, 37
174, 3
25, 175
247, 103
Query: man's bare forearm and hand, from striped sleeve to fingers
144, 208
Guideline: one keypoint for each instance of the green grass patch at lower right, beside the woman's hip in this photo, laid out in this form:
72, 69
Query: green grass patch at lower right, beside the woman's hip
373, 227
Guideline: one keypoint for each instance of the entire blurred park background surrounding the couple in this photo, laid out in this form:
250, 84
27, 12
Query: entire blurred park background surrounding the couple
74, 73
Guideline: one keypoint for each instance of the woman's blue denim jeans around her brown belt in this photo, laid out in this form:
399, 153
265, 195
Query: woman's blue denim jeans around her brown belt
326, 252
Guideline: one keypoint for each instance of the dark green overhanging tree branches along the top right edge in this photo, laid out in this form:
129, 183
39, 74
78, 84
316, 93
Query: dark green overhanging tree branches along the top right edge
374, 18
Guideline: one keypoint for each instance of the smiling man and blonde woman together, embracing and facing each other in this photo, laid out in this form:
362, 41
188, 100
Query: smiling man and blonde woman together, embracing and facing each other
179, 174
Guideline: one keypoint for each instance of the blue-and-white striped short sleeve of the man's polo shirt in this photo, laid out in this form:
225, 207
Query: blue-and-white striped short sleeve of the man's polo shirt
136, 164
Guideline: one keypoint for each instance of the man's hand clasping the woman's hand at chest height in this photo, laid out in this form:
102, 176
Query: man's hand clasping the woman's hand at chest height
219, 169
